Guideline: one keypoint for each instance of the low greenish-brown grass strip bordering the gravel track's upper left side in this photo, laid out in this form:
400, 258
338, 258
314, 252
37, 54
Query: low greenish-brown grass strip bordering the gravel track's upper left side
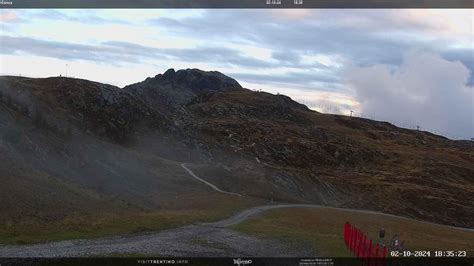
207, 207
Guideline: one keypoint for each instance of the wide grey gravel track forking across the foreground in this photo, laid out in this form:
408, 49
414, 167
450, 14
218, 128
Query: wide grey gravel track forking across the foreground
209, 240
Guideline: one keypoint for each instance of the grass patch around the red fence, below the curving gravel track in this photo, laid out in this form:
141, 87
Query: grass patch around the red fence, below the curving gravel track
322, 228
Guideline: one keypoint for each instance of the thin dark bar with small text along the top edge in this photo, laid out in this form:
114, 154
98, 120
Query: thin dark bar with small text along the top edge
236, 4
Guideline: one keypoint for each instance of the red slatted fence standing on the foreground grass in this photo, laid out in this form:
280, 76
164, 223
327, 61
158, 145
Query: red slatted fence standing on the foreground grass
362, 247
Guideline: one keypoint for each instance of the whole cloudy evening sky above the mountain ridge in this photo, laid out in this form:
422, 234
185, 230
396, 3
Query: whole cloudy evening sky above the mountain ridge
408, 67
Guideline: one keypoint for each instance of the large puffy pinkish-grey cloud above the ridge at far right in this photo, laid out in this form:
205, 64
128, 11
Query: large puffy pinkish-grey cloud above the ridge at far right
425, 90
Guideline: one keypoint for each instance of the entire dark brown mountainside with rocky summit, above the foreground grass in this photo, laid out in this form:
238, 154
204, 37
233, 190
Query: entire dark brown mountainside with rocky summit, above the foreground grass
117, 148
